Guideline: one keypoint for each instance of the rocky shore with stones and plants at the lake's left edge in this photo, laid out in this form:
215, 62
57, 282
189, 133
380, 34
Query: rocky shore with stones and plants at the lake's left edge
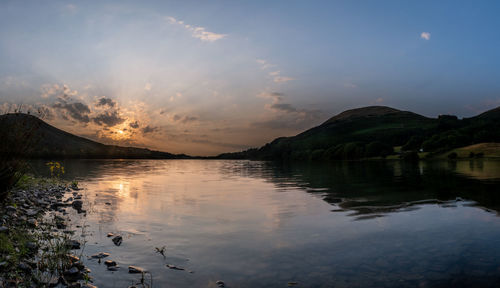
37, 241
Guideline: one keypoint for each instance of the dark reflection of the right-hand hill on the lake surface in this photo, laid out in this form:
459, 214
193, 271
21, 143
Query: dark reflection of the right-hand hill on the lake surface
373, 188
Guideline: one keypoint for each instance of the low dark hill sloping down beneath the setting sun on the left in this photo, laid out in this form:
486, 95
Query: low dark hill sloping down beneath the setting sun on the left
29, 136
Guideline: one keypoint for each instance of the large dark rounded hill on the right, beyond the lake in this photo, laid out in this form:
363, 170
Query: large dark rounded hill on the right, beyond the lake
375, 131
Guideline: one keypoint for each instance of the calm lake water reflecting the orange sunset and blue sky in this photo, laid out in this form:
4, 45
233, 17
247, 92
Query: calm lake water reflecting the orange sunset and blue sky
261, 224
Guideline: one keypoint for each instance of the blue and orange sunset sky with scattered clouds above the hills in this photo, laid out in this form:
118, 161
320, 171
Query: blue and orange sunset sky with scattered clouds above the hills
206, 77
